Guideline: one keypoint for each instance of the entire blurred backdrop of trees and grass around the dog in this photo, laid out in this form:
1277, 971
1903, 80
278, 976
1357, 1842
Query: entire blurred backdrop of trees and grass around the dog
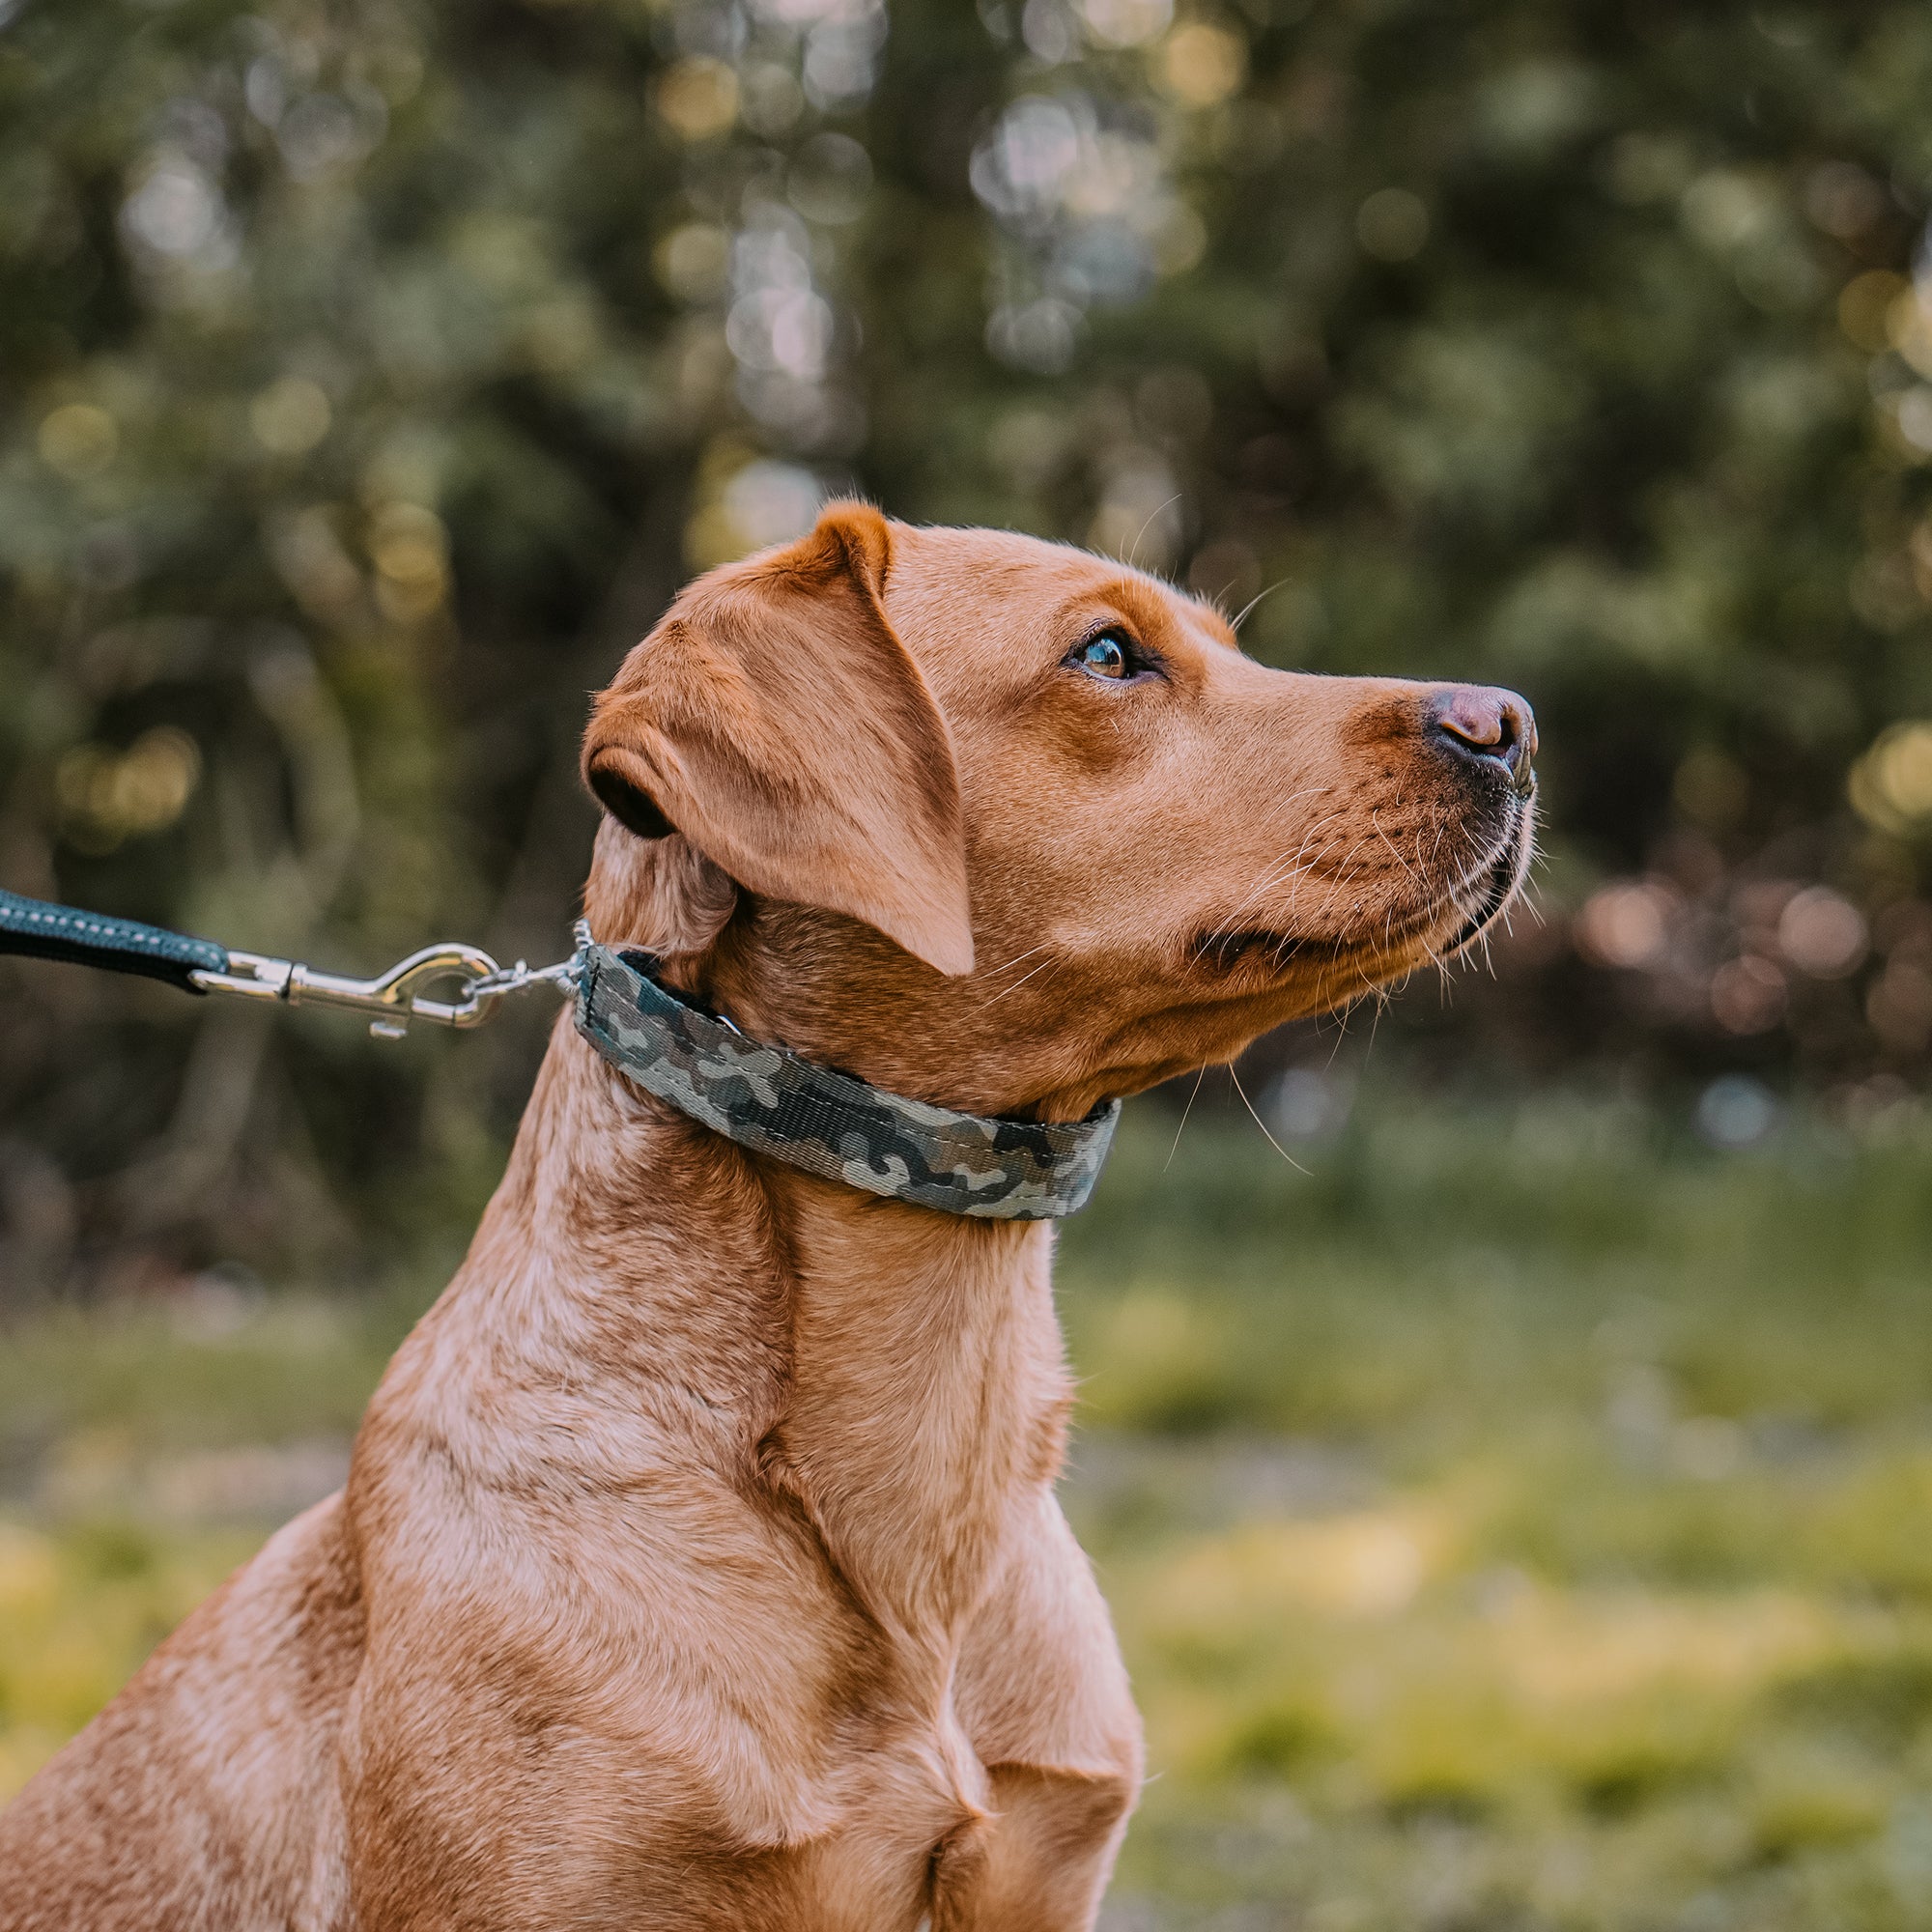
1518, 1500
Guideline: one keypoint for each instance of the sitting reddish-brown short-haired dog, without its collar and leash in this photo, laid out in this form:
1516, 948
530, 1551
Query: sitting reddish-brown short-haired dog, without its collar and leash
700, 1562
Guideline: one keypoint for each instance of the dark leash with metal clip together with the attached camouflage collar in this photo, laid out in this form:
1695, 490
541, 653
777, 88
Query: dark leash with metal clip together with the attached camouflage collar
760, 1096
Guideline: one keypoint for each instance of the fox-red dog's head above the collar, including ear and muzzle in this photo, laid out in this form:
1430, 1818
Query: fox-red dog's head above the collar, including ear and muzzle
1006, 826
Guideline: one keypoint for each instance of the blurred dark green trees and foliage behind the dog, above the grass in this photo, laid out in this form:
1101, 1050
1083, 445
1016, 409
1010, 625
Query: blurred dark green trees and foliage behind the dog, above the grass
374, 372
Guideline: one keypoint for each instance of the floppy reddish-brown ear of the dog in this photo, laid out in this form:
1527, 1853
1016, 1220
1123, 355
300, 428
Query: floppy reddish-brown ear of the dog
778, 724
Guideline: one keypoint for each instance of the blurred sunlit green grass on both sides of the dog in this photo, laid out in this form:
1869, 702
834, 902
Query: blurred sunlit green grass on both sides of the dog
1518, 1520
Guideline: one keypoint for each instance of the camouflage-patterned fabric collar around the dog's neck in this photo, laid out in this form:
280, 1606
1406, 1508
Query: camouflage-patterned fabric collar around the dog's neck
830, 1123
